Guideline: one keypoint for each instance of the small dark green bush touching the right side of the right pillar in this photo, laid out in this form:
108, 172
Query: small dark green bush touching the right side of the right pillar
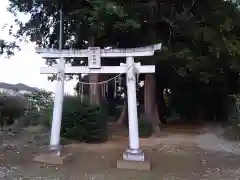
145, 127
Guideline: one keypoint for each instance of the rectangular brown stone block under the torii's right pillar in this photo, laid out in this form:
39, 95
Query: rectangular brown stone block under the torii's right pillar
134, 165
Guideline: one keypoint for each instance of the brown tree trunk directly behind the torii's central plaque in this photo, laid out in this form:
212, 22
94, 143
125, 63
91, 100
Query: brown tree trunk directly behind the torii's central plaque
94, 93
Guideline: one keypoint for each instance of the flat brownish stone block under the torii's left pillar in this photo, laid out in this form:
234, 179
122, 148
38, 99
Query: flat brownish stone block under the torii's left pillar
52, 159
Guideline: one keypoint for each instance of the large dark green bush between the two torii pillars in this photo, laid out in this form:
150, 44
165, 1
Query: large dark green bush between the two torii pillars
83, 122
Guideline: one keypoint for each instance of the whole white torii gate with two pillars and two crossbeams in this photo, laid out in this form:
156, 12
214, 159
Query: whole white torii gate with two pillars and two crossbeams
94, 55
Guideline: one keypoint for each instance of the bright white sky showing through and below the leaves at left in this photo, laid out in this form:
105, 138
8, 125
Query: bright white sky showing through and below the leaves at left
24, 66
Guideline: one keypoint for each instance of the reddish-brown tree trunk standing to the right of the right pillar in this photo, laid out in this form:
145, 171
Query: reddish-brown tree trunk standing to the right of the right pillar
150, 101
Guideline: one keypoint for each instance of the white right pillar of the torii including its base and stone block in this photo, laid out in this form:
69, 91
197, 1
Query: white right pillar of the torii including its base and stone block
133, 157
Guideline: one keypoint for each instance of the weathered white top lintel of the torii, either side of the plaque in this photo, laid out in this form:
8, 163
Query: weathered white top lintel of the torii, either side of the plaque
129, 52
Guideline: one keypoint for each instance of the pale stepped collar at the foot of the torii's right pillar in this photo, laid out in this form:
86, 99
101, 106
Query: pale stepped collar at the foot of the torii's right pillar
133, 155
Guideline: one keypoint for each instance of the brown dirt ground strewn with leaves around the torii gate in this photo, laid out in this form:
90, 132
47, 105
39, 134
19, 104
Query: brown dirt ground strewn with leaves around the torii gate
174, 156
